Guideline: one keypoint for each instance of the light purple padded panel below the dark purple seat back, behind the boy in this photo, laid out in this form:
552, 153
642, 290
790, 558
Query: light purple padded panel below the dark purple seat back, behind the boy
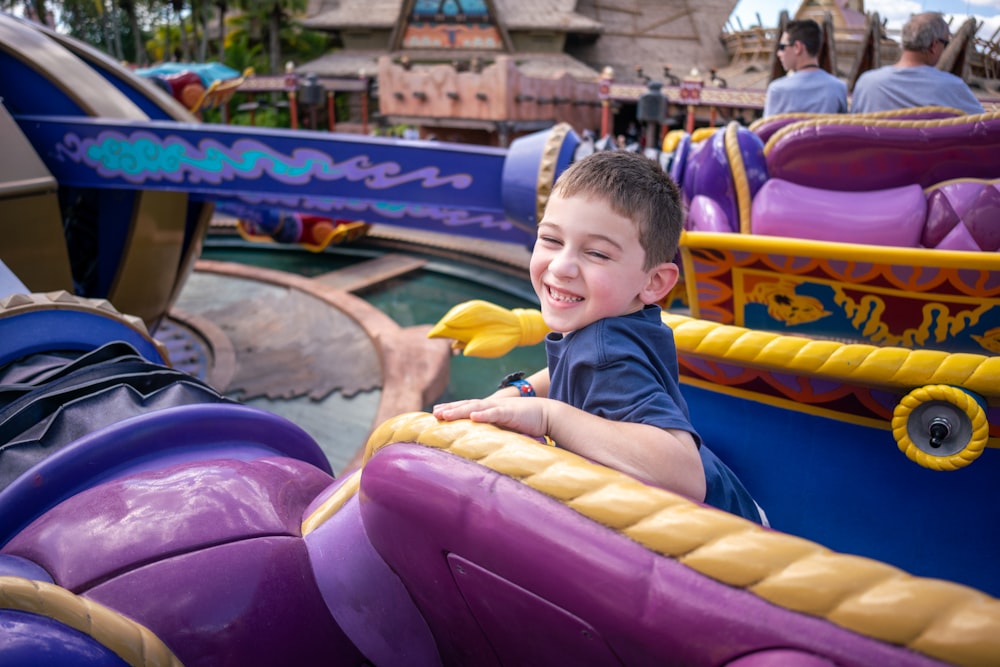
885, 217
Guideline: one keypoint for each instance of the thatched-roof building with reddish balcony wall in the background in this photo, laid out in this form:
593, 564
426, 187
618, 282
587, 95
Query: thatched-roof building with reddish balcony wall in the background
487, 71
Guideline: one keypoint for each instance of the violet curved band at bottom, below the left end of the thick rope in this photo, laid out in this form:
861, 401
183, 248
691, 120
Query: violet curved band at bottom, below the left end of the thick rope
366, 599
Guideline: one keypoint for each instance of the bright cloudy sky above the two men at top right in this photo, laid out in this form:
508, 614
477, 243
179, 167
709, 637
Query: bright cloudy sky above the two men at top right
896, 11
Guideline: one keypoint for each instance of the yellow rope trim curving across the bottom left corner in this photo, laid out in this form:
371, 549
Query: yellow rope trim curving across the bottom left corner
132, 642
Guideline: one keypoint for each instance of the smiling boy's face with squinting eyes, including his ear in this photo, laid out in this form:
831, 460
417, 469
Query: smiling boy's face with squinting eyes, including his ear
587, 264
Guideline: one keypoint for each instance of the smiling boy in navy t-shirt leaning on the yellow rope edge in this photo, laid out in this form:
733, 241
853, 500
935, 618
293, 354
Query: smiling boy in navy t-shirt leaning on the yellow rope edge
602, 260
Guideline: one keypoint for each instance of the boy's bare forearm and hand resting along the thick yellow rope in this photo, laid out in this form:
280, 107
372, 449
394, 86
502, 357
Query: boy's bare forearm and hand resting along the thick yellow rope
667, 458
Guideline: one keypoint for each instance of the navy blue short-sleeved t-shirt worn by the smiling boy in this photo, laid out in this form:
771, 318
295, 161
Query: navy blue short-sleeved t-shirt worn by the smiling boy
625, 369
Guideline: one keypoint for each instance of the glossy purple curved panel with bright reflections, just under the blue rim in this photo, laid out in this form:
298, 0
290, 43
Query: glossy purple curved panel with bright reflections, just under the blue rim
146, 517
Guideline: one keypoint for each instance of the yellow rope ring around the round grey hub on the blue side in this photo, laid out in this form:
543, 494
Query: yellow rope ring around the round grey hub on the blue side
961, 400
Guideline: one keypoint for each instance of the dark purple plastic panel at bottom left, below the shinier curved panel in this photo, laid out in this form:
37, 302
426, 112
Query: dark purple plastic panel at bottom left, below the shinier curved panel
253, 604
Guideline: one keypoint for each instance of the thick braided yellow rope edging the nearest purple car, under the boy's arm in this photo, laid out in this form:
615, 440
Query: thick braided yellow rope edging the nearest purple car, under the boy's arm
946, 621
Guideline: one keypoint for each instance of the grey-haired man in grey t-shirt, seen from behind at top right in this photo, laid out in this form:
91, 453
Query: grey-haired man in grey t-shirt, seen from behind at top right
915, 81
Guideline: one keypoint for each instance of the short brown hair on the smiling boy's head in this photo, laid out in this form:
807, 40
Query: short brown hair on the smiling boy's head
635, 187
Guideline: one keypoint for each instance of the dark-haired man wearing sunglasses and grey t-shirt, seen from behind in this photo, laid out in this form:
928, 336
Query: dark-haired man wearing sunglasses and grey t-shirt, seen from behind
806, 87
